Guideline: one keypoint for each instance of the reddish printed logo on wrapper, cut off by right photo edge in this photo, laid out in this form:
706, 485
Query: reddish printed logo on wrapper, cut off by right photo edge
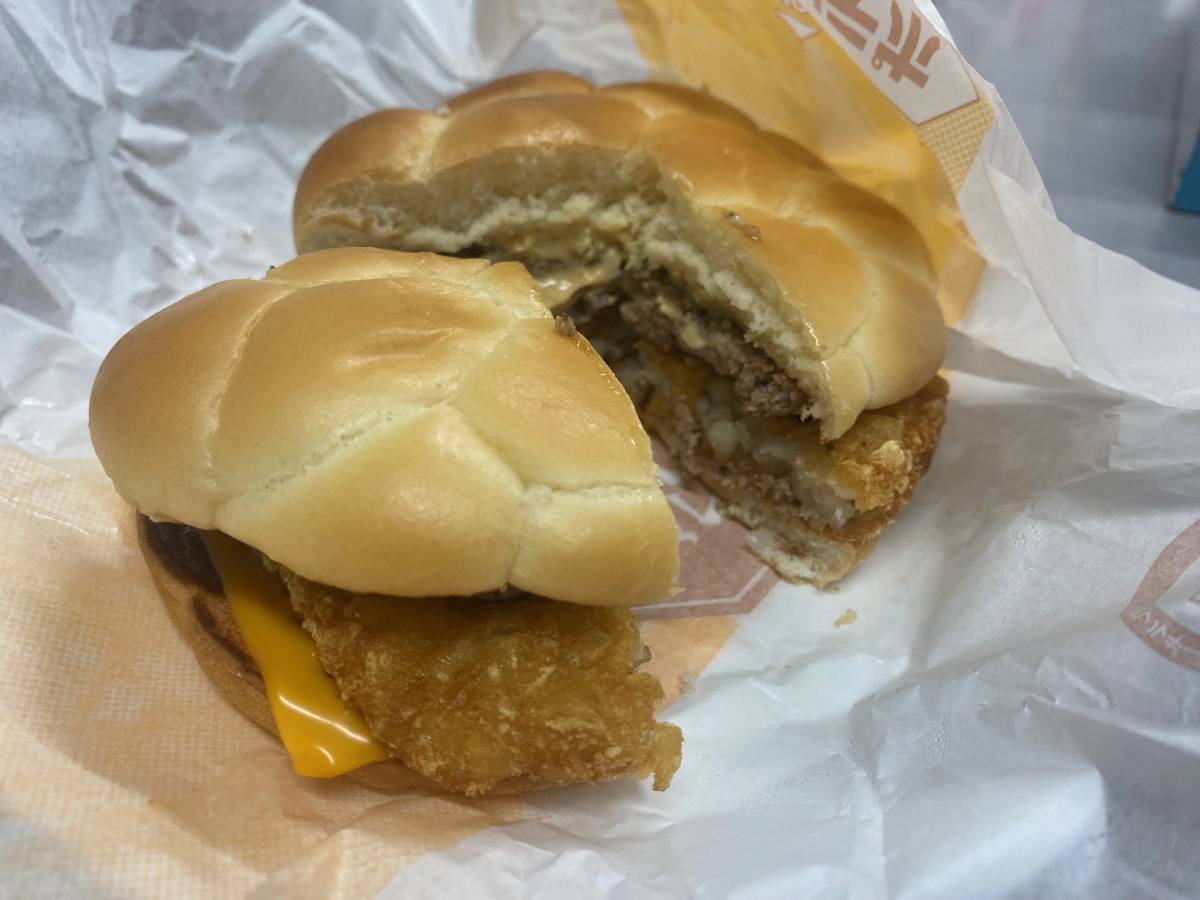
1166, 610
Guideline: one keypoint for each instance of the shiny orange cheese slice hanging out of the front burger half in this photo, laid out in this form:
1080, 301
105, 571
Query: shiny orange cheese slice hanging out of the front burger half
323, 735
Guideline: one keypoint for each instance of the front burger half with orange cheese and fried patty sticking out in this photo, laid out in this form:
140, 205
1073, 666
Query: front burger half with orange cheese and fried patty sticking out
400, 514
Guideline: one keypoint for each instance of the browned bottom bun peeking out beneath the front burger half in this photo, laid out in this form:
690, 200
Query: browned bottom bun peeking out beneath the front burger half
203, 617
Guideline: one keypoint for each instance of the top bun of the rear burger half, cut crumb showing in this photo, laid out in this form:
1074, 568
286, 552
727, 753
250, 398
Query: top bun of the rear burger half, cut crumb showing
831, 281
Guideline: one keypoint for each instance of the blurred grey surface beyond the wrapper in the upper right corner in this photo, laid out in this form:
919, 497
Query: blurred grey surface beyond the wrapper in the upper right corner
1096, 87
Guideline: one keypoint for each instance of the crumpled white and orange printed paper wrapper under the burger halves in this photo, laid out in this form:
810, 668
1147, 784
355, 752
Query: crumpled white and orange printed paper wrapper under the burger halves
1003, 701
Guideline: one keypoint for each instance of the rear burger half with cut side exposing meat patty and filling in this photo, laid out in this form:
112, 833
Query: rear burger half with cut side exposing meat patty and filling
777, 327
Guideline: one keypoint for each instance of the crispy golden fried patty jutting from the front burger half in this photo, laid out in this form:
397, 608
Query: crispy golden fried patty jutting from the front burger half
478, 693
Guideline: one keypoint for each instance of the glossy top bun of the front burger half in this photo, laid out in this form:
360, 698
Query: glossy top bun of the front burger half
391, 423
